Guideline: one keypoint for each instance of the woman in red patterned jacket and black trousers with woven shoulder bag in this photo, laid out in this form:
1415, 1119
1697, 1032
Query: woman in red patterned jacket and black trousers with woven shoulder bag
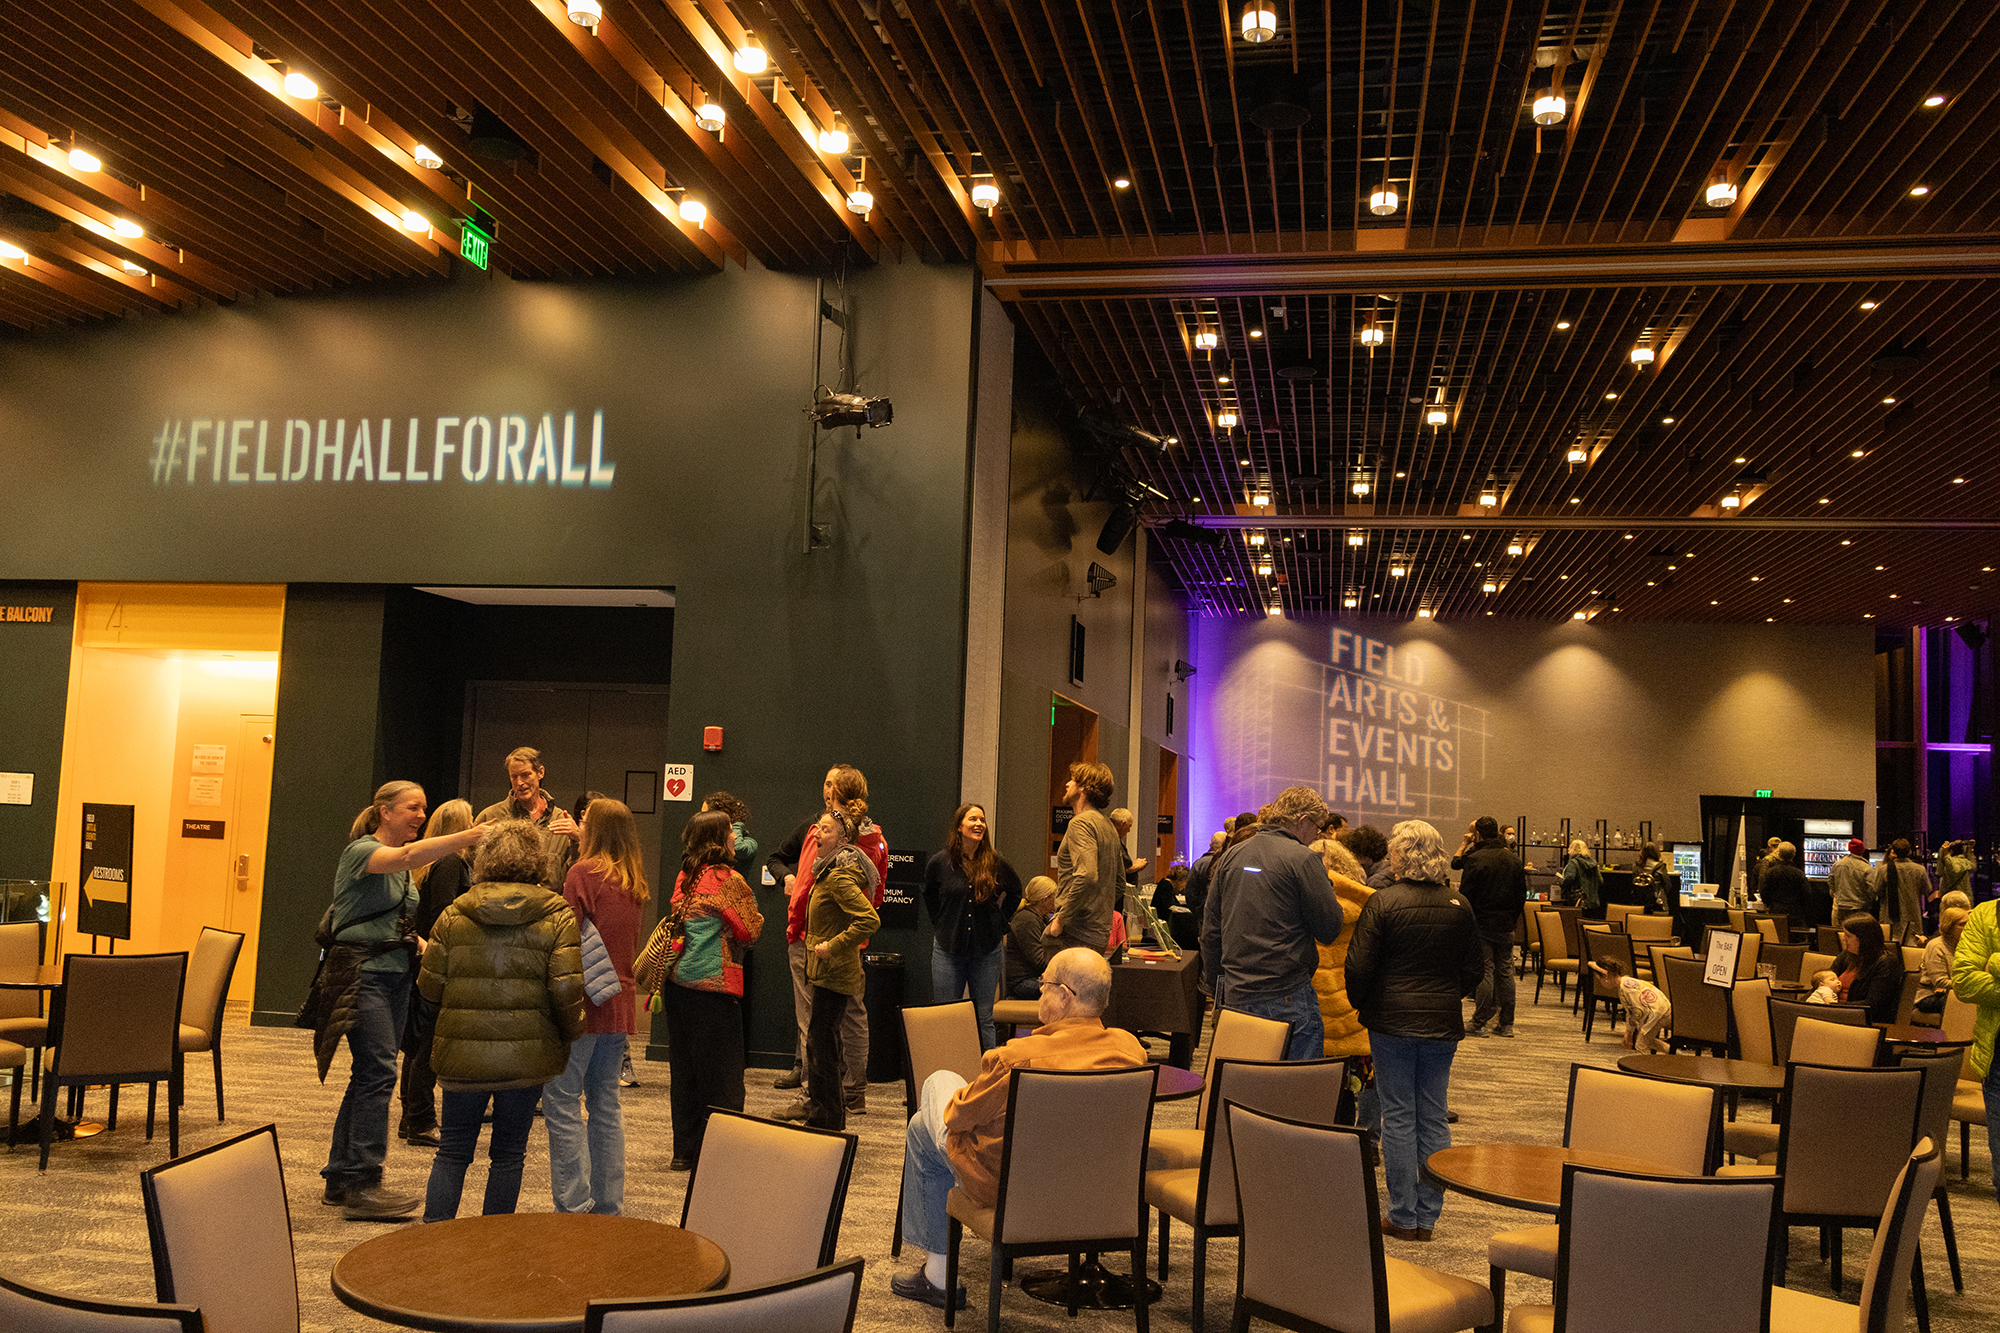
711, 922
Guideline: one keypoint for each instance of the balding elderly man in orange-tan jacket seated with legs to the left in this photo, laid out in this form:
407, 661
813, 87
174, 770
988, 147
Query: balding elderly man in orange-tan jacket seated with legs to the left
957, 1132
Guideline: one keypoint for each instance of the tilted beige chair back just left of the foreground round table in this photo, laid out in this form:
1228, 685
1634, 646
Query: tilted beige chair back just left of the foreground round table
223, 1234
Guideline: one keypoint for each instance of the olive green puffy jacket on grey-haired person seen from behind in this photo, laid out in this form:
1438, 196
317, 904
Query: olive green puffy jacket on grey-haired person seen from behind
507, 966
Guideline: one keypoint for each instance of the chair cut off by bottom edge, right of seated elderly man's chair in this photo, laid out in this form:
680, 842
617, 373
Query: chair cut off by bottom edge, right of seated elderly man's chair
1311, 1242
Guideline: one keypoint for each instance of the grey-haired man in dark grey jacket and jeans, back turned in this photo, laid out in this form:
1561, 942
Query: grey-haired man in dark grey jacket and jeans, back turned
1269, 910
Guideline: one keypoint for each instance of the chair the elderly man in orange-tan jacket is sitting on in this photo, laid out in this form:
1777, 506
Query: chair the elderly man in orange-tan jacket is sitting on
1071, 1176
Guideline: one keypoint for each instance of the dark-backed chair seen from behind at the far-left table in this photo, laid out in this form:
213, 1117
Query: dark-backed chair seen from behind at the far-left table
119, 1024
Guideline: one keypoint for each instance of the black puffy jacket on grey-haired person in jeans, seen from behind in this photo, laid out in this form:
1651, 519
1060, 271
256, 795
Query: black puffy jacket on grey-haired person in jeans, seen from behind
1415, 958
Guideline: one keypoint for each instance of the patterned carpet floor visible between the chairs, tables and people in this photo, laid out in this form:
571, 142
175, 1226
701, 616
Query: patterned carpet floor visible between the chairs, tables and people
81, 1226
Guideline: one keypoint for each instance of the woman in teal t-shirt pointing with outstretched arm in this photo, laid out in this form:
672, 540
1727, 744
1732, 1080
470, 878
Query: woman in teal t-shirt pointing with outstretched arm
365, 988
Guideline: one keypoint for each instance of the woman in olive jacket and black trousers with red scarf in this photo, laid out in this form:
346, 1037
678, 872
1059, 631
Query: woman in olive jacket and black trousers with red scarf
839, 918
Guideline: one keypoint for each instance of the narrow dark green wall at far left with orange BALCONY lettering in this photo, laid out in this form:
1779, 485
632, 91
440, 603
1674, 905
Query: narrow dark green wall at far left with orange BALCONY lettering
35, 661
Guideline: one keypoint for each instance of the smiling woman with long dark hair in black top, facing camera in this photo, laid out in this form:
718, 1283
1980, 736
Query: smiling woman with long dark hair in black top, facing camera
971, 896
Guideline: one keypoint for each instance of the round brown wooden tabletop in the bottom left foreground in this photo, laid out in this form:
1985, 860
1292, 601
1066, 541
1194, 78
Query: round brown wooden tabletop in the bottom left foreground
523, 1272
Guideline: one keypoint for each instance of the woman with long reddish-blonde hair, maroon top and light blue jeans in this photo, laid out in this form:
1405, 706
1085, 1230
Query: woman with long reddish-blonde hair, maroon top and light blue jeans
607, 890
